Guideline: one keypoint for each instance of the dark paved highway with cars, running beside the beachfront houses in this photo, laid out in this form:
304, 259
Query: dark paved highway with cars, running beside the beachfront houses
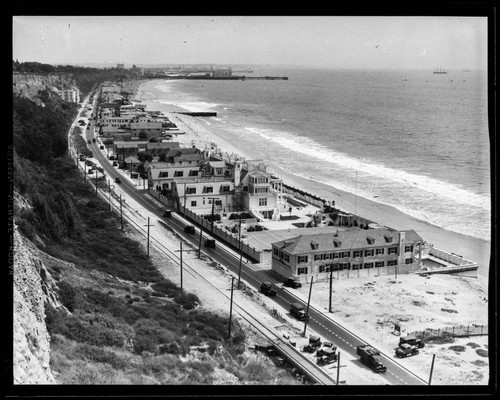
320, 323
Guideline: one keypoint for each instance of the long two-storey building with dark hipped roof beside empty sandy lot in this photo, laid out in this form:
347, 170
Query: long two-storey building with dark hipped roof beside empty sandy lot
353, 252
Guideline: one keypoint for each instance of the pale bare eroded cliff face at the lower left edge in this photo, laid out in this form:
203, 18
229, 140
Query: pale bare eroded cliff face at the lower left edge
33, 286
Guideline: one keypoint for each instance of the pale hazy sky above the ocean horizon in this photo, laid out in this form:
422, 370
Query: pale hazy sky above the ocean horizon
323, 41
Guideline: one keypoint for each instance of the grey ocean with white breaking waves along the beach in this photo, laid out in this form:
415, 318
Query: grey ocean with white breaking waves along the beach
410, 139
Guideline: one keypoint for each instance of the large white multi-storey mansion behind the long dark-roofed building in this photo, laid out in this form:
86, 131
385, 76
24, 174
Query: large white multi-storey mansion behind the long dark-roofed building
204, 183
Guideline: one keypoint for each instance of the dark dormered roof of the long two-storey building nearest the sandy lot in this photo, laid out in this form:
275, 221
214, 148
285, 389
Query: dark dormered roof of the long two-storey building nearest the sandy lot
351, 239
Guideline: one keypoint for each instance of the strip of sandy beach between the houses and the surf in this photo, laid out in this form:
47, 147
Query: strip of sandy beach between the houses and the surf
474, 249
